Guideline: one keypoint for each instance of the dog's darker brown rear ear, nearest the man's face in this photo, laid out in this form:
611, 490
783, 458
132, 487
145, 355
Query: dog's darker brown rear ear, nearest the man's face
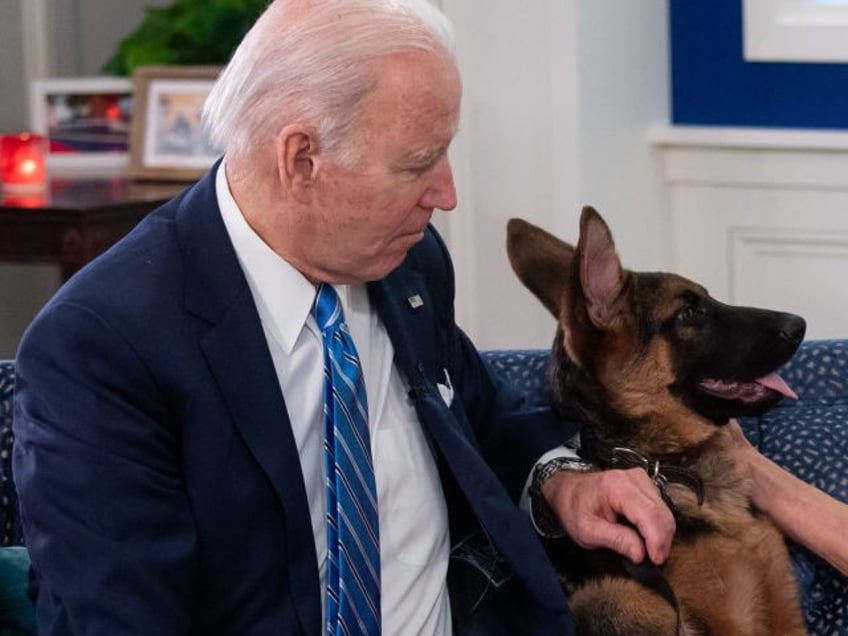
541, 261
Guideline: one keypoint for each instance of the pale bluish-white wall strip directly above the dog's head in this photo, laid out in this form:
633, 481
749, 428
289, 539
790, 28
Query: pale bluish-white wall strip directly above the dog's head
624, 90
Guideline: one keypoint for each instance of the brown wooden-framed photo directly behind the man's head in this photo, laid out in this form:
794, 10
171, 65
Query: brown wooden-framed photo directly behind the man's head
167, 141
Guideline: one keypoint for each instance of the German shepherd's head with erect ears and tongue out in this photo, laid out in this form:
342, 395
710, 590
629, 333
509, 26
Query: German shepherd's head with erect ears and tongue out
649, 354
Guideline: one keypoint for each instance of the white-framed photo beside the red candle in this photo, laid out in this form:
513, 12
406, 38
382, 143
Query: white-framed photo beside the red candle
86, 120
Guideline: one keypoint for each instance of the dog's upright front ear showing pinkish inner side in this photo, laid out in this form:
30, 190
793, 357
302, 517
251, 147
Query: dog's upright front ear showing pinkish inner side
601, 275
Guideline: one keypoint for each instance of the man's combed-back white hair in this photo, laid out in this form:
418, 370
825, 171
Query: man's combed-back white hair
311, 62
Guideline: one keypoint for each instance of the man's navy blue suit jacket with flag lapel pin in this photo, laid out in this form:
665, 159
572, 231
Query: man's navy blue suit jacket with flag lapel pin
158, 476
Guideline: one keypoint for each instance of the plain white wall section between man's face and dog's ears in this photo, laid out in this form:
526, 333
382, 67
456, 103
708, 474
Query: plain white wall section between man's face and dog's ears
515, 154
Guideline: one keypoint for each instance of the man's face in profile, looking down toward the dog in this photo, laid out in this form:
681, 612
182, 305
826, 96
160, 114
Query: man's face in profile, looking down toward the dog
373, 210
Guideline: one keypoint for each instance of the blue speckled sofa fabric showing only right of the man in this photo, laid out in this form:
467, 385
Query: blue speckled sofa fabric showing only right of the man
808, 437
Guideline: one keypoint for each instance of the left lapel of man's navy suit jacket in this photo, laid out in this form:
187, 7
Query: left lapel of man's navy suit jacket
238, 357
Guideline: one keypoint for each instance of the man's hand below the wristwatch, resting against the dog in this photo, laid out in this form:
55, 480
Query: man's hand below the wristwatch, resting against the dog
591, 505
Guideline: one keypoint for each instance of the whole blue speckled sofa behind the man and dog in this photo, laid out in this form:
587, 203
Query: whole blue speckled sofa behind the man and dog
809, 437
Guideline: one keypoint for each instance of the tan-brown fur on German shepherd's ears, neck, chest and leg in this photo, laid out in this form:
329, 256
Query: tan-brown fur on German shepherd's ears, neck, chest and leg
732, 575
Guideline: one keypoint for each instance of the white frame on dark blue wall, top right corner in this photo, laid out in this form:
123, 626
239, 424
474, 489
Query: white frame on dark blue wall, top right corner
795, 31
